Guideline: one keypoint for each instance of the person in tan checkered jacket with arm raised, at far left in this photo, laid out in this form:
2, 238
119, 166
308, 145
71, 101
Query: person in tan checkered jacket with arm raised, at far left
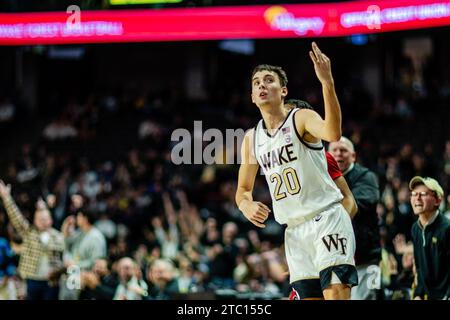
42, 247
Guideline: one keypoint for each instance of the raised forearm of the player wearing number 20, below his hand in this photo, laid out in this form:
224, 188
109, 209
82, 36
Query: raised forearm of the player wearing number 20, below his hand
333, 117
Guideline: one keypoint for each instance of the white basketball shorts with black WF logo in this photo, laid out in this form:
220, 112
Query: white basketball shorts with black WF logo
322, 248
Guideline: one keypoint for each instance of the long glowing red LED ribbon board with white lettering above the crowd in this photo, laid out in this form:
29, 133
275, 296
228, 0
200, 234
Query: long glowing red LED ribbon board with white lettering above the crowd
242, 22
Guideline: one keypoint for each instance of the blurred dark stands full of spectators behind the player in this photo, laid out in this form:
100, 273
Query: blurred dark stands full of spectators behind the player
89, 136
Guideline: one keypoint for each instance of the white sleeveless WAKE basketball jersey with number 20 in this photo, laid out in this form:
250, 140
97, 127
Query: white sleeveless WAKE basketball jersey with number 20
296, 171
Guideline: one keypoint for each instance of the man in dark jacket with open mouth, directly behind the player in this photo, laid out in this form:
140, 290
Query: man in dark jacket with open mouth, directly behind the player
364, 185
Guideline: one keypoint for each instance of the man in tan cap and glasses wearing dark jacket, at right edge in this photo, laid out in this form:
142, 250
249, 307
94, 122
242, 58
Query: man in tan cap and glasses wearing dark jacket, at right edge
431, 239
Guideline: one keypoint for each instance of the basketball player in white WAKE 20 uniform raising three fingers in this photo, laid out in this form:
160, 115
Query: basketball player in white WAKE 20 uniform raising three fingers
287, 146
